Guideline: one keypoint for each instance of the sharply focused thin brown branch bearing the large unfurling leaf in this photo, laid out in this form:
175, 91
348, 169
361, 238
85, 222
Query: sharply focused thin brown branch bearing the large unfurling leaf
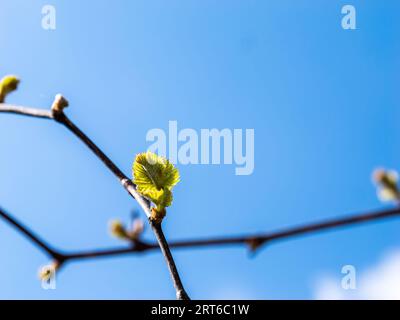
60, 117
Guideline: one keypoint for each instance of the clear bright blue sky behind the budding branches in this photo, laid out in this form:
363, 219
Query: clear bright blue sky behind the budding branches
322, 100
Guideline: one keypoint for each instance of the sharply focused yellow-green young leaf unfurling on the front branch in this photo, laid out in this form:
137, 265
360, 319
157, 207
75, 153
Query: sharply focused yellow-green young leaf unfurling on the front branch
155, 177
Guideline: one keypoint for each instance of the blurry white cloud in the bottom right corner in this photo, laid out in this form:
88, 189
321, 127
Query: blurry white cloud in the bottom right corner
381, 281
